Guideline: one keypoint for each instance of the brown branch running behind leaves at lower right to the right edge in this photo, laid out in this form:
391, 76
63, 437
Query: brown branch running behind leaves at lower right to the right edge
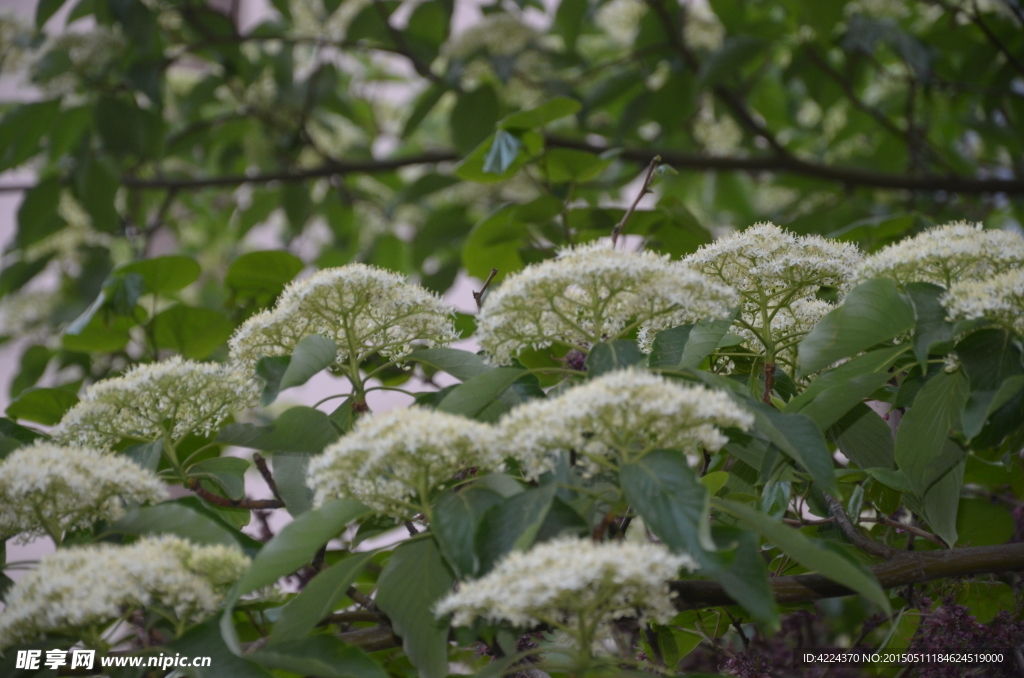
915, 568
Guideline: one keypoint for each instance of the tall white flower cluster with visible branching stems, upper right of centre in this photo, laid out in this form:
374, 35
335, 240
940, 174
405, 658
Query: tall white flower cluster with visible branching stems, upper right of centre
779, 276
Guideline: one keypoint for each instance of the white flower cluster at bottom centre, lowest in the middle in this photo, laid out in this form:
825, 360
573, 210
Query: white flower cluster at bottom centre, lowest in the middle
558, 582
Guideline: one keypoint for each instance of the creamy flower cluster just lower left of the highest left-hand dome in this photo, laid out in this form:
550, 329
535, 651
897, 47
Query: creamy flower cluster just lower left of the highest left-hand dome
172, 399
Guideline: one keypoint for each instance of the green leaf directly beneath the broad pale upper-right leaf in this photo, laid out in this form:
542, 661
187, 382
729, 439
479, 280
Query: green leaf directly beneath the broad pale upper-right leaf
836, 393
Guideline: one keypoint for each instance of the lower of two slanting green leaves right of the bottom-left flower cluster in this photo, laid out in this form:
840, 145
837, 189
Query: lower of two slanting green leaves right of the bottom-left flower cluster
321, 597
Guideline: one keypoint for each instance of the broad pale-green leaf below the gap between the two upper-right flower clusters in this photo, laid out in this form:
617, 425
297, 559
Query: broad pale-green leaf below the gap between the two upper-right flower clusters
873, 313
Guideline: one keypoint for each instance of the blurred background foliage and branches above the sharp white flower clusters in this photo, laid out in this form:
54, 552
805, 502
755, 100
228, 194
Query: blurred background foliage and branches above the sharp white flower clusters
344, 131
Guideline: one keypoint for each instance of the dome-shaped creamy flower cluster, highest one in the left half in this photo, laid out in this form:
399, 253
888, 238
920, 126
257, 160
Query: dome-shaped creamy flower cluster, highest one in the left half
365, 310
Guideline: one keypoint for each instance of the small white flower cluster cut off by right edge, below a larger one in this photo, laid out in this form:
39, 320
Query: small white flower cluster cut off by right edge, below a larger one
1000, 300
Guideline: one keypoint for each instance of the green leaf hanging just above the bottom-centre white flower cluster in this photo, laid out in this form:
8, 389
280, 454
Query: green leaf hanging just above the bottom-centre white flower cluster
457, 518
